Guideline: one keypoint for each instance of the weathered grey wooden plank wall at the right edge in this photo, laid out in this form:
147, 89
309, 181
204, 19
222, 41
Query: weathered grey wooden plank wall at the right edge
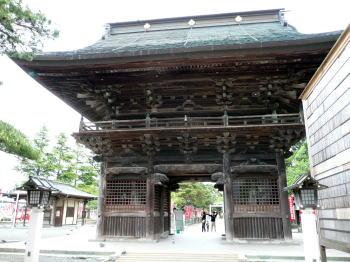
327, 120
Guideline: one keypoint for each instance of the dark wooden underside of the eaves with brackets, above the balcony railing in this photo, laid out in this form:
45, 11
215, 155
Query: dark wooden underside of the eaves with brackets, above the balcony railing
249, 85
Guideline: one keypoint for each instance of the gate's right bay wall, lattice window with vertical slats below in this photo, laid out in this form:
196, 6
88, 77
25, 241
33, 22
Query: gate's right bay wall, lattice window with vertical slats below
256, 207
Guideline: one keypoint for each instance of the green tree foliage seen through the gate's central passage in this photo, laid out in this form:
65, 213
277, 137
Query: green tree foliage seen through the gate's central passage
199, 195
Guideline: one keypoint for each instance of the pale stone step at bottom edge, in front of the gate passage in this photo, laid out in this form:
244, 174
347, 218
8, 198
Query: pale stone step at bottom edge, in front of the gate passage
179, 257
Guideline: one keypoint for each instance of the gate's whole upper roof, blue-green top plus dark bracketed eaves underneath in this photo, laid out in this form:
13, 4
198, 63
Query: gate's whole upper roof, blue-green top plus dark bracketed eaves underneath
257, 66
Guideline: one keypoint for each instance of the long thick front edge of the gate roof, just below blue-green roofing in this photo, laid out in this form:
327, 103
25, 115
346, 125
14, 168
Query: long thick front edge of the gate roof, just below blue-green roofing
212, 51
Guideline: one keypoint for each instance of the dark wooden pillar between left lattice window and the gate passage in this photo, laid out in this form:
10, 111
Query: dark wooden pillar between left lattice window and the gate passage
150, 200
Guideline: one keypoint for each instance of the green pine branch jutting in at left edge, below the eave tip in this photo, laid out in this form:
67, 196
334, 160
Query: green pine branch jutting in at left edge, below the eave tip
14, 142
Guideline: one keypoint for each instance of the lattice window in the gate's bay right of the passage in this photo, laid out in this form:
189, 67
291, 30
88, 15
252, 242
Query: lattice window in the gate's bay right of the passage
255, 195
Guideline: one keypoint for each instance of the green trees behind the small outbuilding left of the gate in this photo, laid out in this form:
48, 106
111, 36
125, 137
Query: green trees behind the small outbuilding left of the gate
63, 163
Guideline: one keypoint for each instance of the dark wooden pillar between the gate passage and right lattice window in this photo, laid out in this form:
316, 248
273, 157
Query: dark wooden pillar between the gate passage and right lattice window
228, 196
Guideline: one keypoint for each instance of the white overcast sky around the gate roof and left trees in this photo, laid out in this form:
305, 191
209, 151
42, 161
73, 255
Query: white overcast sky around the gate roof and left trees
28, 106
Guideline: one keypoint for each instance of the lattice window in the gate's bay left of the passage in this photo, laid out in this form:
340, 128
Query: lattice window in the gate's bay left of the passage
126, 194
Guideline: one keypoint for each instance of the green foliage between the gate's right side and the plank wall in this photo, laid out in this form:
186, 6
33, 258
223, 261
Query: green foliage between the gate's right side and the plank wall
298, 163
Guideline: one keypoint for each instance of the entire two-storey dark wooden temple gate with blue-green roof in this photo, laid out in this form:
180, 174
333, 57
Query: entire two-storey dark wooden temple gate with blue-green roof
168, 100
